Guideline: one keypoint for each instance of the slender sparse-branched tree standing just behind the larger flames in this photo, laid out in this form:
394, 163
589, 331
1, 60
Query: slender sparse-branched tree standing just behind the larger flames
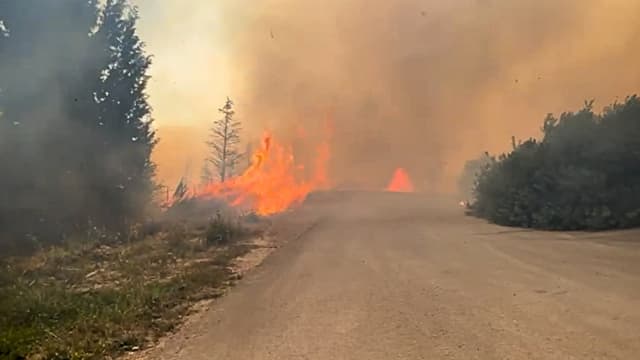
223, 143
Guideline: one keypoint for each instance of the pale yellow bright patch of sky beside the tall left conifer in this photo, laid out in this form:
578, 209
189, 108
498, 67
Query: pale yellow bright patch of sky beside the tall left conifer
190, 79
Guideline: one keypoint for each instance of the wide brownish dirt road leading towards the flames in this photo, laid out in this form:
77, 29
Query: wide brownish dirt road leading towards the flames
392, 276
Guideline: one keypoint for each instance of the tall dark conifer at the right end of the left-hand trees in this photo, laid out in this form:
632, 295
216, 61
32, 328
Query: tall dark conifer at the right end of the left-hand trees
127, 138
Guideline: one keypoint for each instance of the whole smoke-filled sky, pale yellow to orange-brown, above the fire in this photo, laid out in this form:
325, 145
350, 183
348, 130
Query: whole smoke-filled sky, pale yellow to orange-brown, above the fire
422, 85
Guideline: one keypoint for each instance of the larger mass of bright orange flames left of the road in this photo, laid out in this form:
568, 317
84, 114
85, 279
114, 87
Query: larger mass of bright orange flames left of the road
273, 182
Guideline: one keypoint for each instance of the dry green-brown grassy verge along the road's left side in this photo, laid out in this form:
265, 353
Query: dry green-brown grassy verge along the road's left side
95, 301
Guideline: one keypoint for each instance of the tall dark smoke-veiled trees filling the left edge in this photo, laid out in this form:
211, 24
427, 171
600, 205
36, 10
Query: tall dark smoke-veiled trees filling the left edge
75, 125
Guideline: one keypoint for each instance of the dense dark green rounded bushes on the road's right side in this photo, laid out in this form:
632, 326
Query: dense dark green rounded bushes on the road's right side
583, 175
